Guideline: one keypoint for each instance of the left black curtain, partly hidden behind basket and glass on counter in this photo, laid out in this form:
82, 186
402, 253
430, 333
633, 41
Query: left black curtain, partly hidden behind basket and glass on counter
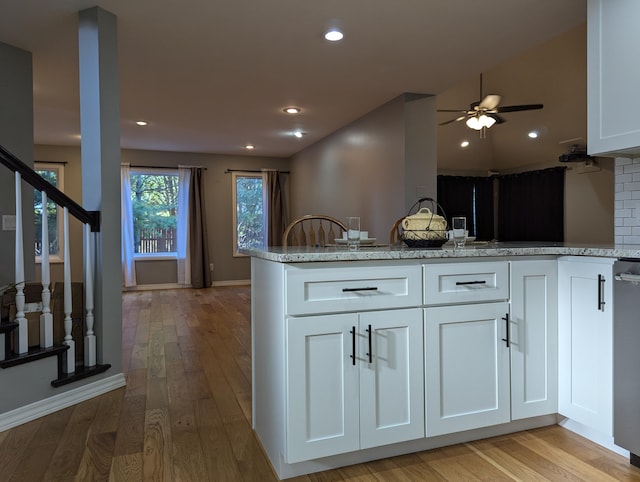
471, 197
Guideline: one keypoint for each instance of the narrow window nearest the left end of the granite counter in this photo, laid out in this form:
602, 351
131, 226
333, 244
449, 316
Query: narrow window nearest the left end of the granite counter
248, 221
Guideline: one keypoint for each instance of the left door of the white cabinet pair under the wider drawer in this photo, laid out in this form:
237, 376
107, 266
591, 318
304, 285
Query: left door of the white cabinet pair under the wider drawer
322, 387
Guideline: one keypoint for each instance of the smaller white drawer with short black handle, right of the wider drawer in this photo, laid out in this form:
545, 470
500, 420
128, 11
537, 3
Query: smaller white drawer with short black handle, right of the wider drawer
466, 282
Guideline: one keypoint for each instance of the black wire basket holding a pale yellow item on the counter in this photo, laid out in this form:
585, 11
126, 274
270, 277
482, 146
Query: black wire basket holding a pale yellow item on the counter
425, 228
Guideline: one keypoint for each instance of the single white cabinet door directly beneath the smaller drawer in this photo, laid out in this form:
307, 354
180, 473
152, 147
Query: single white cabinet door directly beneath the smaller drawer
467, 367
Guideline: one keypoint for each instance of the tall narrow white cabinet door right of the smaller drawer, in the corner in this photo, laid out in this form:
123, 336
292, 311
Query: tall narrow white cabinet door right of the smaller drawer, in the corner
534, 338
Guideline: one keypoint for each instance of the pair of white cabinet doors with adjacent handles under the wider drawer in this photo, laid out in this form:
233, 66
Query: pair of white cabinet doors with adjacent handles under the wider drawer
354, 381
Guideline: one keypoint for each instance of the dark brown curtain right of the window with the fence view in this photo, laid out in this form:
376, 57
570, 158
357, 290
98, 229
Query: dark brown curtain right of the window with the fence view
198, 239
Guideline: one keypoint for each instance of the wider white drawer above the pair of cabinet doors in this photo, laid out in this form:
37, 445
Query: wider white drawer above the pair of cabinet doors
359, 288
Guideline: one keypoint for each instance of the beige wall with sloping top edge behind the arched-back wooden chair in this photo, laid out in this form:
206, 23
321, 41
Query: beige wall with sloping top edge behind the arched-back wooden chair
373, 168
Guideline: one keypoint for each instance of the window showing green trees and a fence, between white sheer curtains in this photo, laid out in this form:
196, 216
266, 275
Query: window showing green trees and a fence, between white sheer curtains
154, 202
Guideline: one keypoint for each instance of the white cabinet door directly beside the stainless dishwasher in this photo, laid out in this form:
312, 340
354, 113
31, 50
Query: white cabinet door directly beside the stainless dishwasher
585, 342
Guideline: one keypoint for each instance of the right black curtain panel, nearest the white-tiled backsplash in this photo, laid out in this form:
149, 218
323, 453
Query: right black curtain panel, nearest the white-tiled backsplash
531, 206
